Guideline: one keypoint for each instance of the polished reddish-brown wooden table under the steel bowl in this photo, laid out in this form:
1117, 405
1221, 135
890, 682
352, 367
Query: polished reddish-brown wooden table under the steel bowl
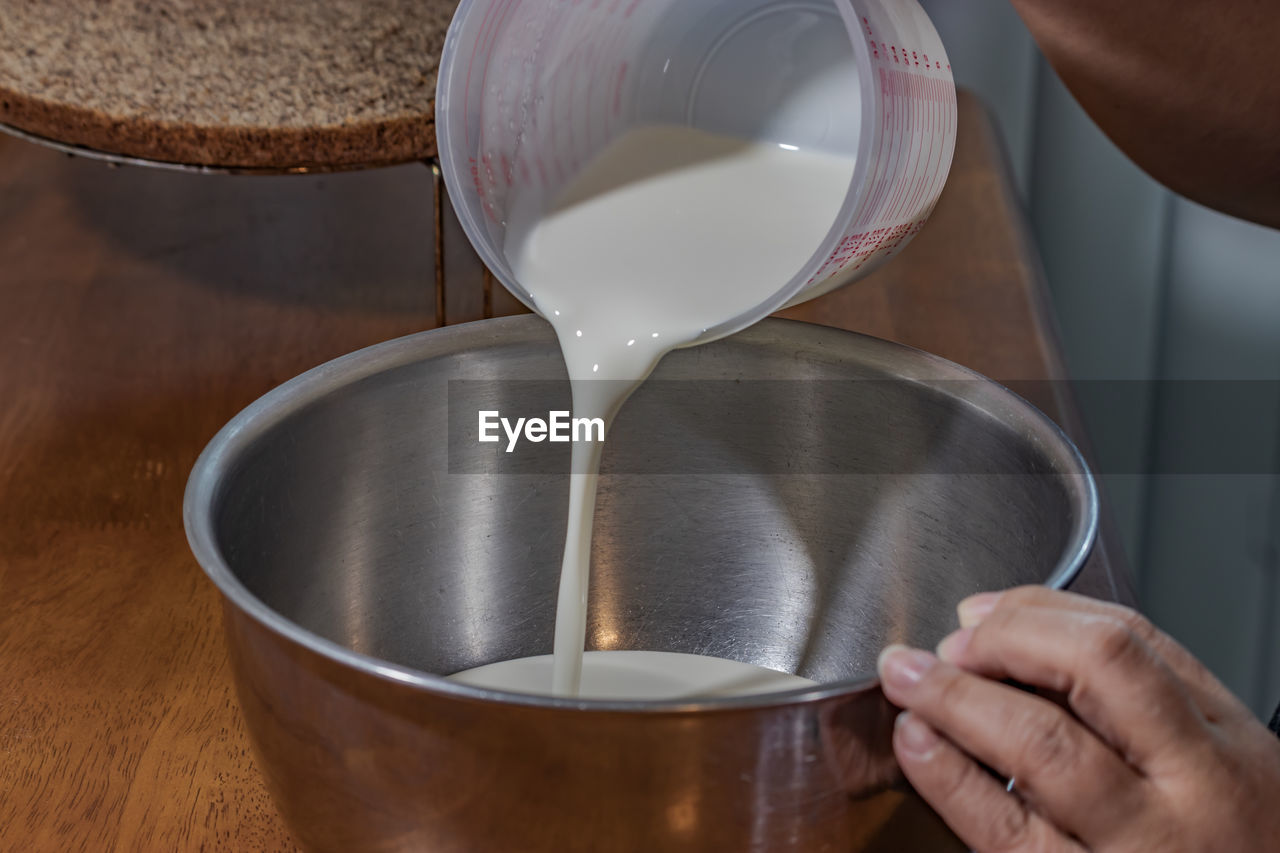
140, 311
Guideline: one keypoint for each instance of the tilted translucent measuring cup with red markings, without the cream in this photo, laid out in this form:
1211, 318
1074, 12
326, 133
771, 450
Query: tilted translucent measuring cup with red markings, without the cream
531, 92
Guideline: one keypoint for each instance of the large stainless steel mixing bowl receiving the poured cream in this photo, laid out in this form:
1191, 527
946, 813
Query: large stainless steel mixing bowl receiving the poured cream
794, 498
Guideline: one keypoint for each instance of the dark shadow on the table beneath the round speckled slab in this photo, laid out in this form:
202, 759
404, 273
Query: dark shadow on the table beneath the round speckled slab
356, 240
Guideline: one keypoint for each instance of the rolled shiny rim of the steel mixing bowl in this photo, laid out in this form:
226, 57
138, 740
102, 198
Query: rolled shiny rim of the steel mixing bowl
208, 477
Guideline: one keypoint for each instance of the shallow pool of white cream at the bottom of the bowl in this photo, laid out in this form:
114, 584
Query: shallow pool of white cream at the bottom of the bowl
639, 676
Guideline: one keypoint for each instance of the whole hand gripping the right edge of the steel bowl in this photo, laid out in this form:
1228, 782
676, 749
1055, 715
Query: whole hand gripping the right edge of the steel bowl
1131, 747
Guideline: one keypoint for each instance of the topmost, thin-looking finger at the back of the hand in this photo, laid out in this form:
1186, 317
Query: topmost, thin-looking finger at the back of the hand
1212, 696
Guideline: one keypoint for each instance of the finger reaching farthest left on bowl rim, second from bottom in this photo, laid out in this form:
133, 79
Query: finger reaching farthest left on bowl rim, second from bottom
1063, 770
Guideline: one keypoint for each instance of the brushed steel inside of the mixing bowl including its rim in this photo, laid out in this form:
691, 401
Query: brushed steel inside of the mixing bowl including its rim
794, 498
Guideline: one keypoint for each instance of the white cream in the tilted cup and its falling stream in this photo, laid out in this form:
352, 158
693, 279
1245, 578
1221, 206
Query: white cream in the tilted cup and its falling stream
666, 235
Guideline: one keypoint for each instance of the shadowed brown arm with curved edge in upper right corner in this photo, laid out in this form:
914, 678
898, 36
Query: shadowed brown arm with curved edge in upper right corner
1191, 90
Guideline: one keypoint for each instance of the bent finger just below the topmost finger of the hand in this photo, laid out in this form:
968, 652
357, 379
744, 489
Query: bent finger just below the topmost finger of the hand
1113, 681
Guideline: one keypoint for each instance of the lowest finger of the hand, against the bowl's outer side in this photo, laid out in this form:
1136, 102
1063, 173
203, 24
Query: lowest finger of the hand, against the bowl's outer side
977, 809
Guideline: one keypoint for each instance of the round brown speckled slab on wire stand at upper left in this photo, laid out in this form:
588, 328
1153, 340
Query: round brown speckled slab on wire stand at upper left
232, 84
